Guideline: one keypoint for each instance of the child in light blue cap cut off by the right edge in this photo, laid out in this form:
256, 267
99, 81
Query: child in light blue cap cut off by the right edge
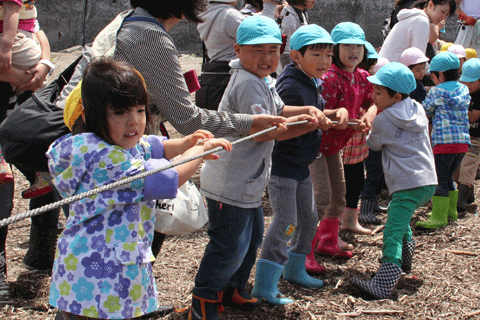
468, 169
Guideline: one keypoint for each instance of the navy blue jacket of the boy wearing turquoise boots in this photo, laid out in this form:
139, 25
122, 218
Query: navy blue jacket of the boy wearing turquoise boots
290, 158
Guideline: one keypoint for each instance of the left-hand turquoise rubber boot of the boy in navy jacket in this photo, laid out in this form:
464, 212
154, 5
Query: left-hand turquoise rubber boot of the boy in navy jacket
267, 275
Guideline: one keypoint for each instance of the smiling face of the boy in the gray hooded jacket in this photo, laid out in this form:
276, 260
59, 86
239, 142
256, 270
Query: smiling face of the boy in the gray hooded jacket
259, 59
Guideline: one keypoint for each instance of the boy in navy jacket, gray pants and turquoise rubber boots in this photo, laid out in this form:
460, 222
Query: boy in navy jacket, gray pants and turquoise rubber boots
290, 188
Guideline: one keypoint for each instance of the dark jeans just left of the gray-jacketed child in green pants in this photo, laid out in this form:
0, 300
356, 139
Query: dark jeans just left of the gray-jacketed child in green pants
374, 179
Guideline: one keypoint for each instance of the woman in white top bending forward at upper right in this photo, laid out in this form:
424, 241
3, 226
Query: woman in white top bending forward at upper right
413, 27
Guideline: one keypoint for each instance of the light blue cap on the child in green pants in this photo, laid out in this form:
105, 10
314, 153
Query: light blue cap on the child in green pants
396, 76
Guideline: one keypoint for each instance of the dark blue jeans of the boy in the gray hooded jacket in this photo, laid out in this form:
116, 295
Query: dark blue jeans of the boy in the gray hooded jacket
235, 236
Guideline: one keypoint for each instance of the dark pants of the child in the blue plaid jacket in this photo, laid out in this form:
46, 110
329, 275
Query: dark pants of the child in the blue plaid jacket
446, 165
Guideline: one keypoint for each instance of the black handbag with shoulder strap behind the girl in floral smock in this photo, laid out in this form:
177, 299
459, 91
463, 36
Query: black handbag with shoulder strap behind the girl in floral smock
32, 127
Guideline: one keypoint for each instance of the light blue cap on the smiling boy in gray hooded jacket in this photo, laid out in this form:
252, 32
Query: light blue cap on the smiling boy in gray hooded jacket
258, 30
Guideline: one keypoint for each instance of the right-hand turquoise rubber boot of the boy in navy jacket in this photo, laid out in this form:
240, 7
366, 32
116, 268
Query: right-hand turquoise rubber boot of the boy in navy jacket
295, 272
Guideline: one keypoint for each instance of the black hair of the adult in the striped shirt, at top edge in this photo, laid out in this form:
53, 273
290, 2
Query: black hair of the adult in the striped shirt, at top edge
190, 9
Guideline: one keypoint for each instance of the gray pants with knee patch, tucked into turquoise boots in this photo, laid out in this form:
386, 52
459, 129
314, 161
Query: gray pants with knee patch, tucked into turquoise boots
294, 219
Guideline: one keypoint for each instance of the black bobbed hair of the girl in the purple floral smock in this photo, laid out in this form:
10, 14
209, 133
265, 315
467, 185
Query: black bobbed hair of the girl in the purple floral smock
110, 84
